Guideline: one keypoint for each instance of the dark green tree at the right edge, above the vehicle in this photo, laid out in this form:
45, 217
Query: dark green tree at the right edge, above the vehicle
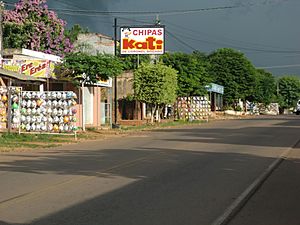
289, 91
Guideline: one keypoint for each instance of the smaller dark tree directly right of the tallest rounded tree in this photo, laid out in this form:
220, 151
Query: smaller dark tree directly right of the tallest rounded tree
265, 87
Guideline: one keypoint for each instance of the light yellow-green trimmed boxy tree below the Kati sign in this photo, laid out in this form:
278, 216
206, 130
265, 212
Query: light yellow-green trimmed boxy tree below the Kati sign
155, 84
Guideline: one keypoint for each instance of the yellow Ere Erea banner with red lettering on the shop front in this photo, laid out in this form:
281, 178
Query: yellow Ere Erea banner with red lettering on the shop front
35, 68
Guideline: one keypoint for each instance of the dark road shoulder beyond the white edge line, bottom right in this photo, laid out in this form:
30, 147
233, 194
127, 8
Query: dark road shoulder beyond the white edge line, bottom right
277, 202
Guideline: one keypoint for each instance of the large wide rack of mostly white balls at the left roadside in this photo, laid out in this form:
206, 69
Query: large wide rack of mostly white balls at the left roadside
48, 111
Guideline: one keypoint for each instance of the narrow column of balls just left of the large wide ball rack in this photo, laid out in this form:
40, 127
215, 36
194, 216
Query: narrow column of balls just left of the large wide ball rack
15, 107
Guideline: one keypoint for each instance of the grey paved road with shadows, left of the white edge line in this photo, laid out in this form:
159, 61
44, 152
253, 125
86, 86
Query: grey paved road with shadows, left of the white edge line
165, 177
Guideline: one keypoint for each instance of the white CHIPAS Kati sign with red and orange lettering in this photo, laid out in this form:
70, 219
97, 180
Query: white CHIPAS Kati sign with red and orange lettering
142, 40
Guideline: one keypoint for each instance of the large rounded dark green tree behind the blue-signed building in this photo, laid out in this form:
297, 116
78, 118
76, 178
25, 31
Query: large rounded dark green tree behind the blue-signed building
235, 72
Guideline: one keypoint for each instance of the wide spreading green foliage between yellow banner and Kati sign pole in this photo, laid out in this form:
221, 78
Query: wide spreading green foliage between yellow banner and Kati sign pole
96, 67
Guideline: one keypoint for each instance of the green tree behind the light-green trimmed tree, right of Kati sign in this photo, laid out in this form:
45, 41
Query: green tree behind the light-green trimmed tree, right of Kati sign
192, 73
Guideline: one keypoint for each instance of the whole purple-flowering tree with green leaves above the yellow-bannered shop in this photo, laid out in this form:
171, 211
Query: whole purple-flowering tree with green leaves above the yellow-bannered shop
33, 26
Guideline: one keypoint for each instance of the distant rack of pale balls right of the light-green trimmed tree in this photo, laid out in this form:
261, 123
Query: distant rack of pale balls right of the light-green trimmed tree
193, 108
